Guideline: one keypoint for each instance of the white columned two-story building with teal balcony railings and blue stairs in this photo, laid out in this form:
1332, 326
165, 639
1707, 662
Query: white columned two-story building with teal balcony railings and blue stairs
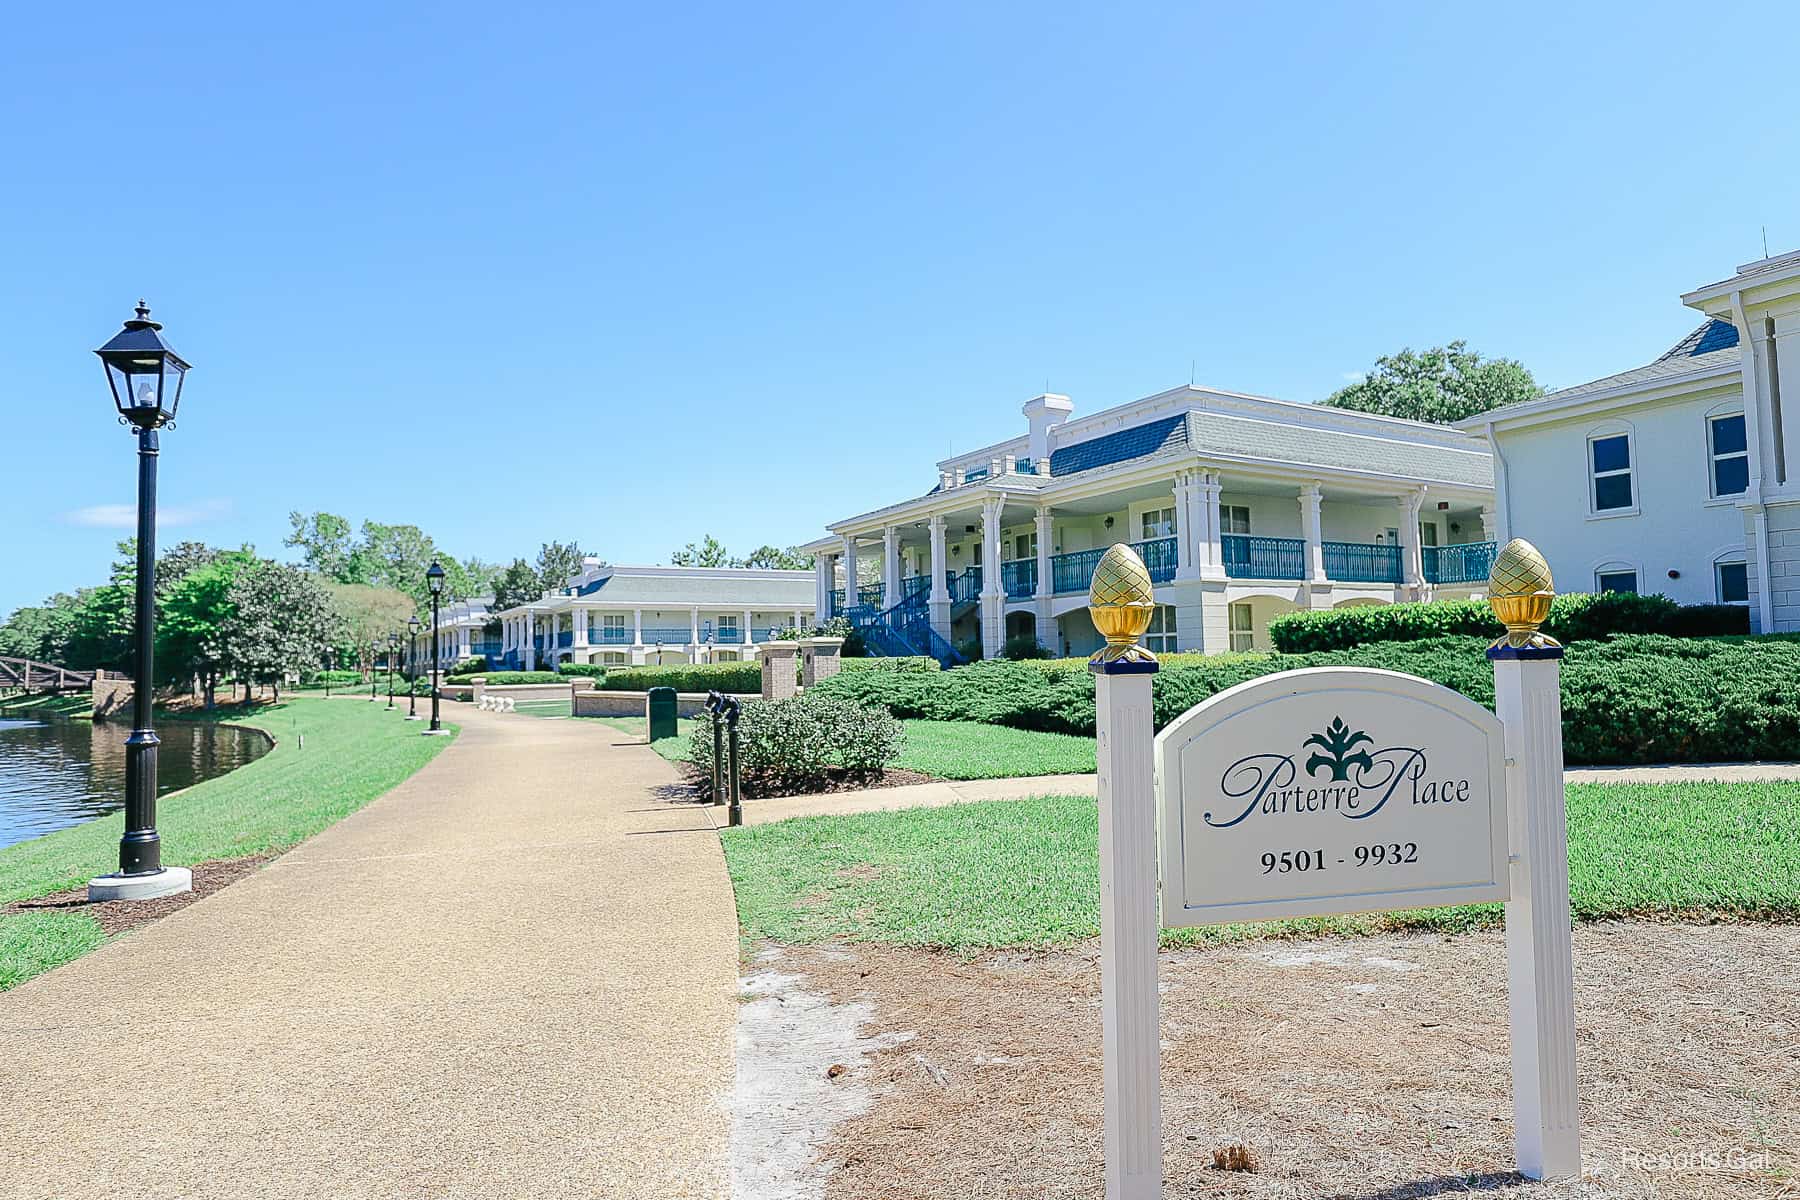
1241, 506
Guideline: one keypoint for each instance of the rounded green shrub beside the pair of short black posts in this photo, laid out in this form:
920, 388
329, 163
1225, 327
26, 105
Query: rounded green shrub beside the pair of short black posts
796, 746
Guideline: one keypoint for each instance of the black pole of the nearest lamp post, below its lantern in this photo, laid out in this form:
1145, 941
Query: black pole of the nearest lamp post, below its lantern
141, 848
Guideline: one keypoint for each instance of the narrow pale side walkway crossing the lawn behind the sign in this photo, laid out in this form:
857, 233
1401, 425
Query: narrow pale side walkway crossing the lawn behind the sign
953, 793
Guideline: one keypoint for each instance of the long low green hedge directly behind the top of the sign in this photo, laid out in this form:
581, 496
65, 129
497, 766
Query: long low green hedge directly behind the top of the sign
1632, 699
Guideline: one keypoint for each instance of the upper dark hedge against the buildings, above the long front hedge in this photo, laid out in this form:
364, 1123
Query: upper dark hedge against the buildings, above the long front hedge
1572, 620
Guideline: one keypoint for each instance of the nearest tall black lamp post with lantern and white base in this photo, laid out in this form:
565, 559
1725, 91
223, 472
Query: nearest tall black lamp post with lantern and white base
147, 379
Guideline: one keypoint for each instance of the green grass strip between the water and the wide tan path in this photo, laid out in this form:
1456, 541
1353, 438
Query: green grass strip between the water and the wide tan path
354, 755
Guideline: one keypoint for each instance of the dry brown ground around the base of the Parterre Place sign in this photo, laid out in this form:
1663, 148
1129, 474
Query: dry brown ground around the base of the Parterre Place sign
1356, 1070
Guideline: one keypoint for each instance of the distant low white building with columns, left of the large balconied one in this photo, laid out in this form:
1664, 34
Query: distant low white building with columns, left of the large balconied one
634, 616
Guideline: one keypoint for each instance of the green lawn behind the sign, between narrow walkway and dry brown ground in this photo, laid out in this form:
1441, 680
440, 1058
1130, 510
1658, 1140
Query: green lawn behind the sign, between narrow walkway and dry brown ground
1025, 873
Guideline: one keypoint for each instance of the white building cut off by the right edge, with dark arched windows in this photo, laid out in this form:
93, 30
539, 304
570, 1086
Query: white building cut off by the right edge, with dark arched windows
1677, 476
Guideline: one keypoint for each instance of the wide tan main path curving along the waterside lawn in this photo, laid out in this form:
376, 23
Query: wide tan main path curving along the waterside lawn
514, 976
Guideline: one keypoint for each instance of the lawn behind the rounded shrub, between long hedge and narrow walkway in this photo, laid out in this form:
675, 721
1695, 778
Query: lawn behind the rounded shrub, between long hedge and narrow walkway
942, 749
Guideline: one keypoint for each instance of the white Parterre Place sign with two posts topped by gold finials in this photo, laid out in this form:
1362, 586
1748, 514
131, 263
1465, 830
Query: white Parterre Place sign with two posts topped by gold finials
1322, 793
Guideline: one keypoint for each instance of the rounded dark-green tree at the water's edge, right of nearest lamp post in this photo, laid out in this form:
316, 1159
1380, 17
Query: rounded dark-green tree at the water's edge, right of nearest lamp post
282, 622
